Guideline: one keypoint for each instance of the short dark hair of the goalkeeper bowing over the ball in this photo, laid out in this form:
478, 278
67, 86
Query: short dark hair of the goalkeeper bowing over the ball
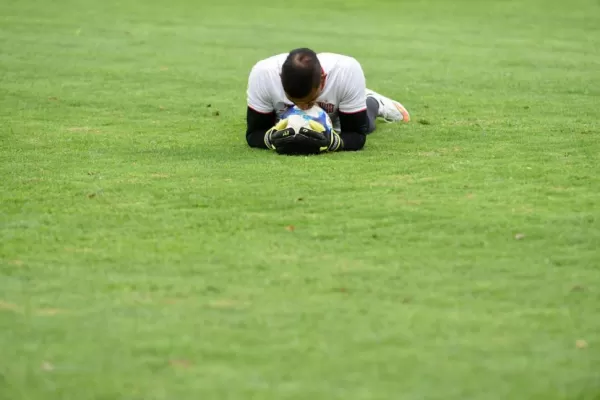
301, 73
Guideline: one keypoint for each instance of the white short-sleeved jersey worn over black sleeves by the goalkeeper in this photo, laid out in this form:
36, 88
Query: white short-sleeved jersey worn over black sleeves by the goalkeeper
344, 88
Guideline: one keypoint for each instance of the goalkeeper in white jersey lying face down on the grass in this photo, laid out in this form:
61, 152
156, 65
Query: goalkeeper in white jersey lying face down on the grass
303, 78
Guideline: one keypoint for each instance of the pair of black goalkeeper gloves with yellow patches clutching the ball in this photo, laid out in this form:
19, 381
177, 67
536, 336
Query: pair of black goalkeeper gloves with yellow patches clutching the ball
311, 140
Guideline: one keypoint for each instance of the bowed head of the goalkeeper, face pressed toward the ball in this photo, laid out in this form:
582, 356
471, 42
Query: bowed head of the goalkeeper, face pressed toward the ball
302, 77
